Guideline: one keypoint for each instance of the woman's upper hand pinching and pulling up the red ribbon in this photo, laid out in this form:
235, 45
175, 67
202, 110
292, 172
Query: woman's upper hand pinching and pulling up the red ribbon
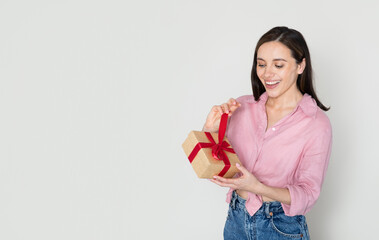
213, 119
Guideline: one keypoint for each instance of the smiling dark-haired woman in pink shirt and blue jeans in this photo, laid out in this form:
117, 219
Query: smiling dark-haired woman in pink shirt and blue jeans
282, 138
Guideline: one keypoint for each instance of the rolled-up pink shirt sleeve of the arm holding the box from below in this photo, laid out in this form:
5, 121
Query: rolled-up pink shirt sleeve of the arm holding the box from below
309, 176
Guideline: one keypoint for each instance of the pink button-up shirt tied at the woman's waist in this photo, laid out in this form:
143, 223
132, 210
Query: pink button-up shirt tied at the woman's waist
293, 154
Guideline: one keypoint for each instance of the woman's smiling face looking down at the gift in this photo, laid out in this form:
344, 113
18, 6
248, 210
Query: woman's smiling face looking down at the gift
278, 70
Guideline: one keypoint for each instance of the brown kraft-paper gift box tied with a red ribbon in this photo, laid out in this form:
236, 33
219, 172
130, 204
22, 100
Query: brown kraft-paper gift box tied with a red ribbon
211, 154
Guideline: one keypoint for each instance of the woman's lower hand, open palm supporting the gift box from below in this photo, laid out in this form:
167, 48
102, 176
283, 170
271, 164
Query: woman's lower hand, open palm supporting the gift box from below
246, 182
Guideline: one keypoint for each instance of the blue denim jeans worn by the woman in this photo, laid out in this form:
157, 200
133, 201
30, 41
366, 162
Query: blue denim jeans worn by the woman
268, 223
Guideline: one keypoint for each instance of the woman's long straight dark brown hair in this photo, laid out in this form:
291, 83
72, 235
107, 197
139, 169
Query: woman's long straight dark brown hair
295, 41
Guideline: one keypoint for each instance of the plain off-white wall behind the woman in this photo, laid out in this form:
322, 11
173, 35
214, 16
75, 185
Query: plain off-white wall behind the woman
96, 98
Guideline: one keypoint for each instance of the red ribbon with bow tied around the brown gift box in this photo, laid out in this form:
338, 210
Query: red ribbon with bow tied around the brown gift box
218, 149
